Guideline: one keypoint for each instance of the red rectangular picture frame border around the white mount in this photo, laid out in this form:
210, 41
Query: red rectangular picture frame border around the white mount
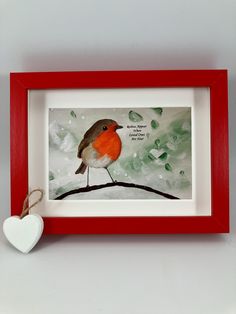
215, 80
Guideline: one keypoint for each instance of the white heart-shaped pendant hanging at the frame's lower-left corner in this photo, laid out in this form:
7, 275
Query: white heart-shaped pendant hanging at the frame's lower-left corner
23, 233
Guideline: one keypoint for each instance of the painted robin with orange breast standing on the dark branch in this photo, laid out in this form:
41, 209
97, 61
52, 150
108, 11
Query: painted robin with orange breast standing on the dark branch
100, 147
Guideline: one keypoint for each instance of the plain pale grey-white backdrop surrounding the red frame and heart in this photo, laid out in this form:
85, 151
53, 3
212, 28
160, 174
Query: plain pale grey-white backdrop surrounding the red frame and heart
168, 274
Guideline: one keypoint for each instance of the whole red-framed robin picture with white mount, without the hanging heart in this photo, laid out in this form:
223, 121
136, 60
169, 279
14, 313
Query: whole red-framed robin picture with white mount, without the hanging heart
122, 152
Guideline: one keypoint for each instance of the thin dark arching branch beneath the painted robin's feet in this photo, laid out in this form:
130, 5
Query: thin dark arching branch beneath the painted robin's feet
107, 185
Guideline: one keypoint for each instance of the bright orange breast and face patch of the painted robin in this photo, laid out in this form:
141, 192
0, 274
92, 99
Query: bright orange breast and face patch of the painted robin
108, 143
